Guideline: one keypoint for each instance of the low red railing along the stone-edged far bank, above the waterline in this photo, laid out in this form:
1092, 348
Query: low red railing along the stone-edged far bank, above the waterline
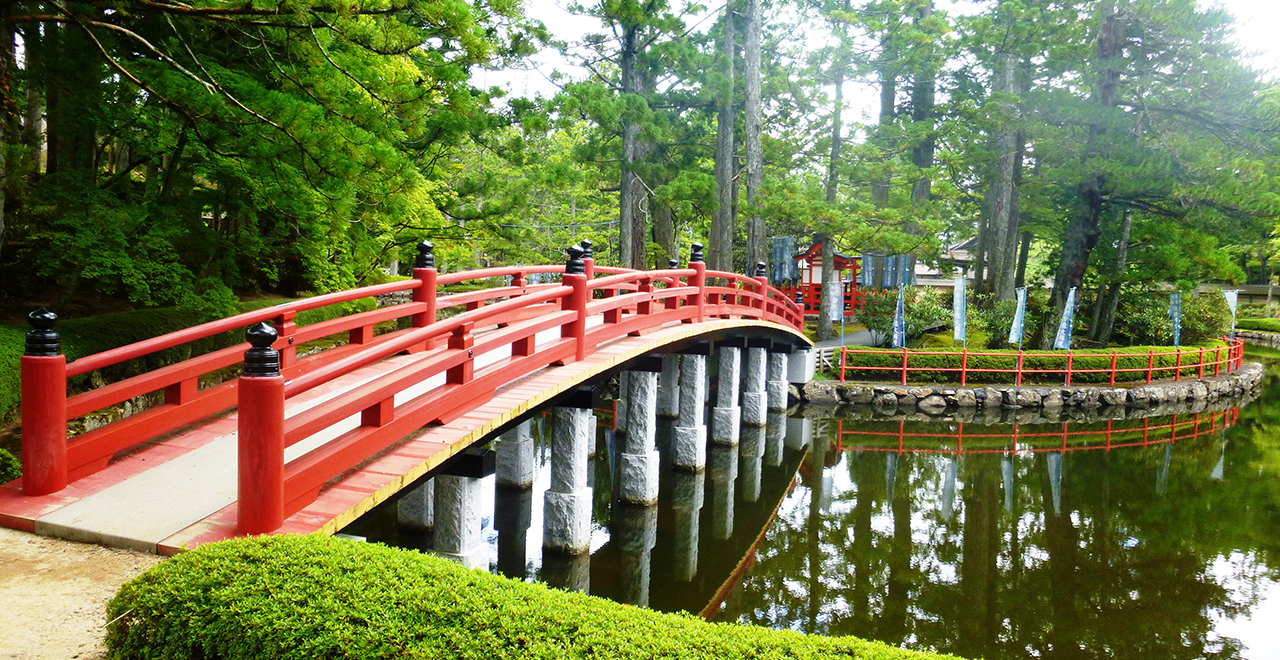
1229, 357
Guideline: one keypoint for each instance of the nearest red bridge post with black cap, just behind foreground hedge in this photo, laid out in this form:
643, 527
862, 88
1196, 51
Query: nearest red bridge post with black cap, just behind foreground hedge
262, 436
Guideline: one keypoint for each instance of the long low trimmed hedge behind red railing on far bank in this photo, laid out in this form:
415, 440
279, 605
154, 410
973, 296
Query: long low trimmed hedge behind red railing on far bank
1128, 357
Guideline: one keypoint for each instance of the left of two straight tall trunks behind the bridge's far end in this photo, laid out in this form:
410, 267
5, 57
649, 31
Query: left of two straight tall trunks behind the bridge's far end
720, 251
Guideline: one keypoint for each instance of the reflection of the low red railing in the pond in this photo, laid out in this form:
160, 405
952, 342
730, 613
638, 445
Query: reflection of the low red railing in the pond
1116, 436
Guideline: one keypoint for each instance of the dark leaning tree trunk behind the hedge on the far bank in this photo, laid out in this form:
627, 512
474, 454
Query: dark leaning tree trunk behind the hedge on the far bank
1085, 227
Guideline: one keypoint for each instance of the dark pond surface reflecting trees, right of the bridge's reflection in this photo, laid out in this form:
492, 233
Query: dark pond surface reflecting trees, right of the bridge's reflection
1123, 553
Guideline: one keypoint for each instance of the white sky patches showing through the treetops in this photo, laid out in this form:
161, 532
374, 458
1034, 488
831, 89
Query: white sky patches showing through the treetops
1258, 34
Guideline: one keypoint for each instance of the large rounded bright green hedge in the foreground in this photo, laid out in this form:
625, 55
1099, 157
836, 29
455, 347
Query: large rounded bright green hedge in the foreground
318, 598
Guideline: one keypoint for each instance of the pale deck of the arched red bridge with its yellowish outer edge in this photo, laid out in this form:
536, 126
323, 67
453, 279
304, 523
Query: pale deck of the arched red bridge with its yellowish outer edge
180, 492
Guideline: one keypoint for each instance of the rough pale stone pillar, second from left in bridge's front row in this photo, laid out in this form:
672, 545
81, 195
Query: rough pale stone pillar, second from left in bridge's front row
568, 507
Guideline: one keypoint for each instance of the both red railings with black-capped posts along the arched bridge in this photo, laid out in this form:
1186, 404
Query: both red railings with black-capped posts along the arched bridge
588, 310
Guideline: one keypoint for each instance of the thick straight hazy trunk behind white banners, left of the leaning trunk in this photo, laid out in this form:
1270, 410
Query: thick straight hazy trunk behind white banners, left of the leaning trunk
1000, 196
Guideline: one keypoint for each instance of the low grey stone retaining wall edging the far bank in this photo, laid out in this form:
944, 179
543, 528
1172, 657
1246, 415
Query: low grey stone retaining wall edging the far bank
939, 400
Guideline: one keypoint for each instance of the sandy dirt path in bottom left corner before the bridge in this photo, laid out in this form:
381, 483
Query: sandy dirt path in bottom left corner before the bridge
53, 595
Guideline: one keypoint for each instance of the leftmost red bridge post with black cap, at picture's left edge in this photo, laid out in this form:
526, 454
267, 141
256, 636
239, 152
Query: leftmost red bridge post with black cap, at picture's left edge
44, 407
